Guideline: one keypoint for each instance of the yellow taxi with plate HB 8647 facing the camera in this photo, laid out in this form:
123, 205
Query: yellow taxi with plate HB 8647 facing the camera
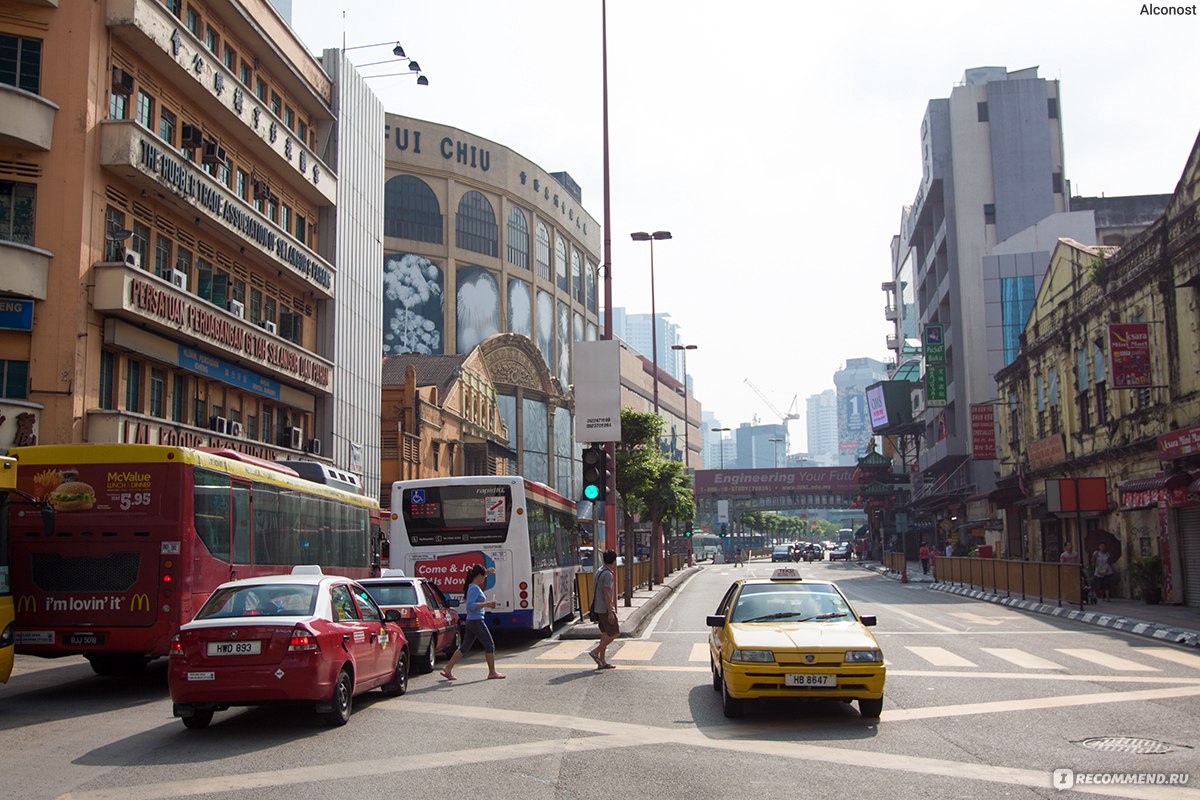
789, 637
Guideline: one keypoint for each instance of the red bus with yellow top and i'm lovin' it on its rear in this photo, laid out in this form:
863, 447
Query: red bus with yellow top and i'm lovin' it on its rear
145, 533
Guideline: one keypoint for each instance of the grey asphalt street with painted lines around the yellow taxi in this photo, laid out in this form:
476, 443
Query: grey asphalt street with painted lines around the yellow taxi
981, 702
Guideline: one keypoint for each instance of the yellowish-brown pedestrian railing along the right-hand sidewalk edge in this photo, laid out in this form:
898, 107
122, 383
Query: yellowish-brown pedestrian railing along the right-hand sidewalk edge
1047, 581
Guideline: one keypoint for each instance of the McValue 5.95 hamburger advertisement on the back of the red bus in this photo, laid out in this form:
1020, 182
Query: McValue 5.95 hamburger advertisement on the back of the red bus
93, 488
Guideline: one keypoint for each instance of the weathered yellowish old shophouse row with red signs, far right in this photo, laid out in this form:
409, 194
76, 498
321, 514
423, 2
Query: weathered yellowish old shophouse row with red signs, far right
1107, 386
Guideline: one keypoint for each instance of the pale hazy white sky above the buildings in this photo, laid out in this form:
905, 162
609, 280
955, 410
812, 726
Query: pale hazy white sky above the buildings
776, 141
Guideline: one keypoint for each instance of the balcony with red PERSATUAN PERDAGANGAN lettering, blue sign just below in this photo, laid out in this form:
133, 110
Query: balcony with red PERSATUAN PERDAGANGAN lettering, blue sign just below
158, 306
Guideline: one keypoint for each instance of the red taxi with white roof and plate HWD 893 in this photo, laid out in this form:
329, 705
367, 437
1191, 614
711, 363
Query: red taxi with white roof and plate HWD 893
302, 637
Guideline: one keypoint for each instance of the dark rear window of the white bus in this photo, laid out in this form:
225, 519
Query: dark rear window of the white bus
451, 515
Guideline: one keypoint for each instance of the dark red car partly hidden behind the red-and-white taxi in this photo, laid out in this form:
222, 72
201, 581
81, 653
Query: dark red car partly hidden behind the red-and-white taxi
430, 621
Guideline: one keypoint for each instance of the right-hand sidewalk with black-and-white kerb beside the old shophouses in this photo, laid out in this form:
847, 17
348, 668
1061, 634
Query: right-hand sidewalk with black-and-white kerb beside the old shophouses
1178, 624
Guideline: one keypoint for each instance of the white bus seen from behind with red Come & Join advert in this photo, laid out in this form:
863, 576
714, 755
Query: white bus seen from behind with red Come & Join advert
525, 531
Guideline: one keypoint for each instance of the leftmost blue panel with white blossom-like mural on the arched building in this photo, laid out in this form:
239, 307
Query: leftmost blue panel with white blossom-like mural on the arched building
412, 305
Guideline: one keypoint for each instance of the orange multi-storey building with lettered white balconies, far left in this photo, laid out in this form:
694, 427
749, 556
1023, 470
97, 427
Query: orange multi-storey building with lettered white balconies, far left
166, 257
